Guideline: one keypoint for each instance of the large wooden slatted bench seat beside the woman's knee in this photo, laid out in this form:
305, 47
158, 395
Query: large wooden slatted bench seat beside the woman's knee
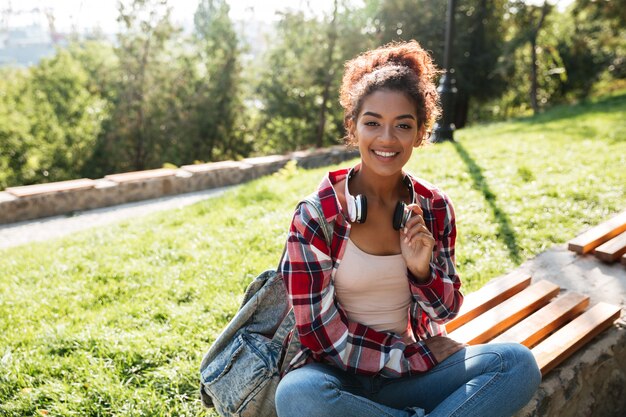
511, 309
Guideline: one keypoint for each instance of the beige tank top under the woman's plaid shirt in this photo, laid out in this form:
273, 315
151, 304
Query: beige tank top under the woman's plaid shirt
374, 290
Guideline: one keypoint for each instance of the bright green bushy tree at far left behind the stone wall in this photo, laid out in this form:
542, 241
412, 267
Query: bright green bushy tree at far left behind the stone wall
49, 122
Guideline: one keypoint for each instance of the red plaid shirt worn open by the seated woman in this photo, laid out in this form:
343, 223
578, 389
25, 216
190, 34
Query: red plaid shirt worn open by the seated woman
326, 333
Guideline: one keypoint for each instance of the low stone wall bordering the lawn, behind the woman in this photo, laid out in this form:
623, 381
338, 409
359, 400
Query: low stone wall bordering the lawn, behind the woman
37, 201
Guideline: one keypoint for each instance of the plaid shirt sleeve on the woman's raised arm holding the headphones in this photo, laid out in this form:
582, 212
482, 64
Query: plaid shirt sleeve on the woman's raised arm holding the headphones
439, 297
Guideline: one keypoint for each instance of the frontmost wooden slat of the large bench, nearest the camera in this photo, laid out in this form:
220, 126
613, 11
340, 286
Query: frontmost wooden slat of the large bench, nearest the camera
567, 340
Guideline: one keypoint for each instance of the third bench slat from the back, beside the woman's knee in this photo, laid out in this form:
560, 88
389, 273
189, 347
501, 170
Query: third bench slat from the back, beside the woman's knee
548, 319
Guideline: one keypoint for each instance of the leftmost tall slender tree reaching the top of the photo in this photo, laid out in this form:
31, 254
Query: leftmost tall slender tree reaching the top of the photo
143, 61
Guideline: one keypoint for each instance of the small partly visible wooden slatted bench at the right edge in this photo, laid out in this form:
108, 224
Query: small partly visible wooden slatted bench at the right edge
607, 241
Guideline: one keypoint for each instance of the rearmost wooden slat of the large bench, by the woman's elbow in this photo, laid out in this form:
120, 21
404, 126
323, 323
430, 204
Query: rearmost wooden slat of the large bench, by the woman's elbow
490, 295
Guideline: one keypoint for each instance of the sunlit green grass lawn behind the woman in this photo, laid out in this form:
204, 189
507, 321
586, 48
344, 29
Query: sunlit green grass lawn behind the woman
114, 321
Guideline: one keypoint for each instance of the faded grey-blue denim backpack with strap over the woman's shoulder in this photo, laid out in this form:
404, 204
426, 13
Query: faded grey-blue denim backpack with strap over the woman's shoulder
240, 372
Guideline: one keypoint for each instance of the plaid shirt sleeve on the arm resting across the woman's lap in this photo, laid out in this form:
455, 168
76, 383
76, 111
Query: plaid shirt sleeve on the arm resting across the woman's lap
323, 326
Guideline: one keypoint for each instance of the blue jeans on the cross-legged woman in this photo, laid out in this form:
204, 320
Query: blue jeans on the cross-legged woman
484, 381
